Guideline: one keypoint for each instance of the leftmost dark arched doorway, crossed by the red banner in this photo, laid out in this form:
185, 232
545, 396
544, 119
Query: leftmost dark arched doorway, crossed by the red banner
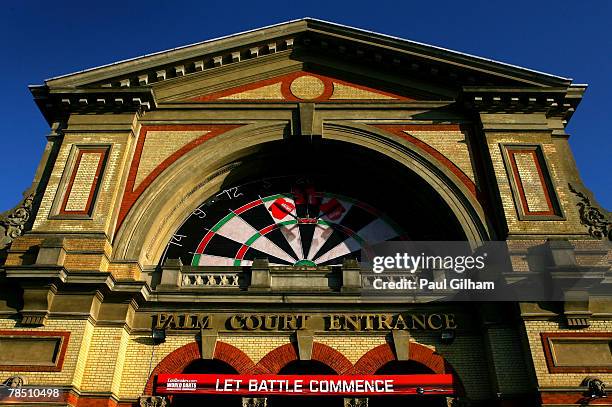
203, 366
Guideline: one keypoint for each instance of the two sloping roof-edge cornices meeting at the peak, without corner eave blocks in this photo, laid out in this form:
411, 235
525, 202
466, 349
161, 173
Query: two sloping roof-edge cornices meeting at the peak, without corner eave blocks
309, 33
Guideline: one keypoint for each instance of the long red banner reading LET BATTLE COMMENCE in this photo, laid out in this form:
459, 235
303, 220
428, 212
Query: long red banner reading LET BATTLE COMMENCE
322, 385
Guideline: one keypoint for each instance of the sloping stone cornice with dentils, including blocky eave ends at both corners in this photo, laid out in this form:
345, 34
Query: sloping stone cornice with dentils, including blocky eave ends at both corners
128, 85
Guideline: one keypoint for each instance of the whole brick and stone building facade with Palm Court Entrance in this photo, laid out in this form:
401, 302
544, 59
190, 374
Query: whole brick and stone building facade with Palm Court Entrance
217, 195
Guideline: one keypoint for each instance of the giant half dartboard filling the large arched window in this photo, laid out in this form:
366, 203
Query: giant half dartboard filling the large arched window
287, 221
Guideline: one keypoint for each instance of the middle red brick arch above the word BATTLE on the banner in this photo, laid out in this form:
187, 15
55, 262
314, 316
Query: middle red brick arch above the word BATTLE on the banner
278, 358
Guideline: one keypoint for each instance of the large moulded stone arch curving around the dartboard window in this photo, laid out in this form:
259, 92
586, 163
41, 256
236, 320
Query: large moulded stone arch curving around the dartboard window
191, 180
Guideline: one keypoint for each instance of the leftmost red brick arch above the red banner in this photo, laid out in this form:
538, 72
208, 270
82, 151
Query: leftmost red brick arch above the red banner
179, 359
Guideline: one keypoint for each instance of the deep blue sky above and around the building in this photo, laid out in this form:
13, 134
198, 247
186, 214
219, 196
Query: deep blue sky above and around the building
42, 39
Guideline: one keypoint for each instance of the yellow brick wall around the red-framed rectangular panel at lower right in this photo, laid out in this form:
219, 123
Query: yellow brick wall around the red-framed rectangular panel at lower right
544, 377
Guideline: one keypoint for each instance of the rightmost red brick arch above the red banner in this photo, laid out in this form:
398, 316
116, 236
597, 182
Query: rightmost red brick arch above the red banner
376, 358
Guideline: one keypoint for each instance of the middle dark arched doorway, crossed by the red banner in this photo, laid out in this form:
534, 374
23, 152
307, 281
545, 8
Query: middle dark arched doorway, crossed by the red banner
306, 367
